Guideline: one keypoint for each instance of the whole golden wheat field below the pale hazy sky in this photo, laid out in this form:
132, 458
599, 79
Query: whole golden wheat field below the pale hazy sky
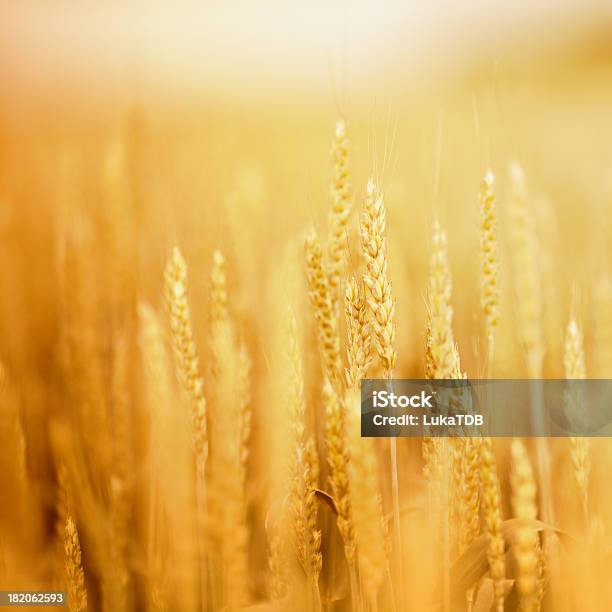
191, 293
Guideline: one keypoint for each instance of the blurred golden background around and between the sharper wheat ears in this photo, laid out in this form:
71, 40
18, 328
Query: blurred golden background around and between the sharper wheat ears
129, 127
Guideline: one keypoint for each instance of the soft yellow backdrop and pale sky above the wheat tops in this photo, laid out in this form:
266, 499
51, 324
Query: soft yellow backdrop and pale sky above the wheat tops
228, 96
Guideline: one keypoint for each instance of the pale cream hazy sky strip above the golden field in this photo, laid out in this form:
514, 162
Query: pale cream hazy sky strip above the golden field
256, 43
